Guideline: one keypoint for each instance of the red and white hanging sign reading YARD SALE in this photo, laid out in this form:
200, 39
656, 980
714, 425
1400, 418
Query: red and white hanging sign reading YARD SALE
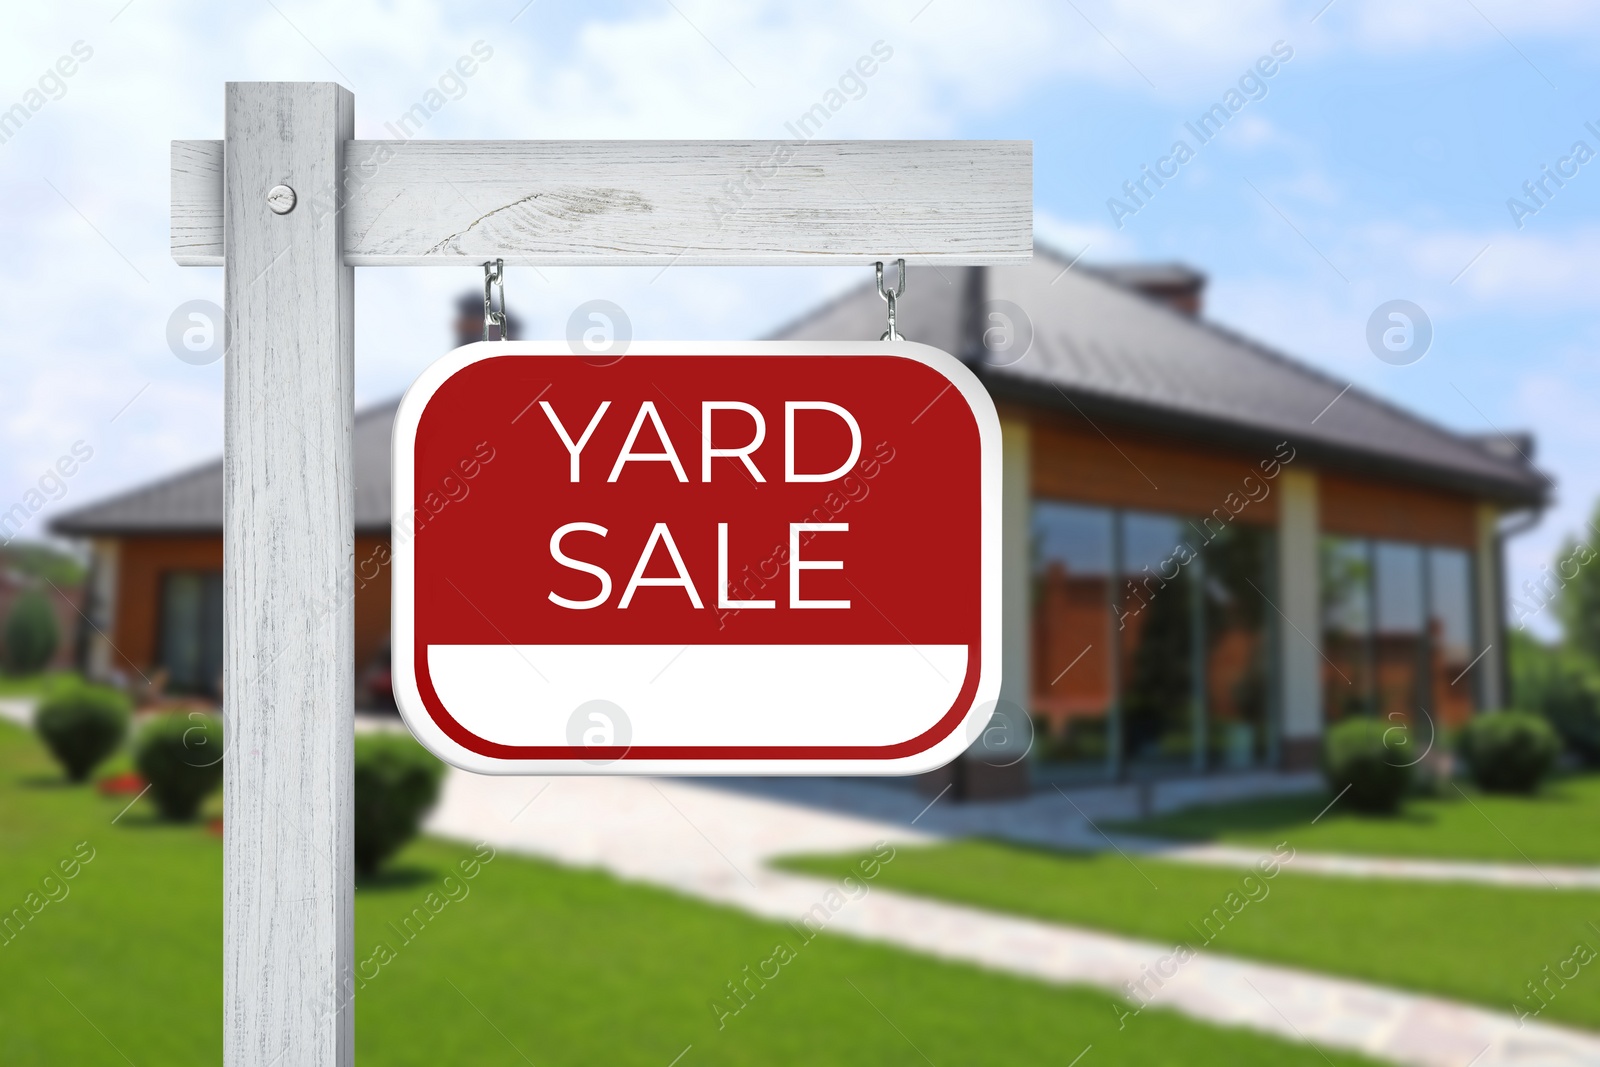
697, 559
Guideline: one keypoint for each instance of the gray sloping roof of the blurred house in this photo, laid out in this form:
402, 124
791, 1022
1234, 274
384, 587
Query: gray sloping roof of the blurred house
1100, 350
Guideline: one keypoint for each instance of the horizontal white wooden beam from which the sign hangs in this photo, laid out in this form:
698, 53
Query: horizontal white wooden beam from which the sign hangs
409, 204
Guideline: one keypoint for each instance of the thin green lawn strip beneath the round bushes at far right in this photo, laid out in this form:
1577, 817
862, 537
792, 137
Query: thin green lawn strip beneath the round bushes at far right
1559, 826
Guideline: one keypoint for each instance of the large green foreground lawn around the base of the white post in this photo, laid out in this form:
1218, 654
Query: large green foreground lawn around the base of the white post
537, 965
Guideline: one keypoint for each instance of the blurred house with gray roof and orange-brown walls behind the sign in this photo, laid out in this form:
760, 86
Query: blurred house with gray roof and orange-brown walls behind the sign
1212, 551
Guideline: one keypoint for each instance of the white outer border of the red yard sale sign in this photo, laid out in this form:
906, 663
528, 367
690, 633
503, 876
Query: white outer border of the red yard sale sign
409, 698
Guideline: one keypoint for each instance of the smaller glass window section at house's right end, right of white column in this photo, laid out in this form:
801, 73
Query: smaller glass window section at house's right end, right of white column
1398, 631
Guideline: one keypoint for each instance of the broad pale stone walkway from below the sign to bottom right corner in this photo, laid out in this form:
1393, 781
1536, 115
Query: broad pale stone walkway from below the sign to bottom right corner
714, 842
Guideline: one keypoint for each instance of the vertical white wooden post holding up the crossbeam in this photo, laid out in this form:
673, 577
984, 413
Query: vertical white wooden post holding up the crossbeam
289, 562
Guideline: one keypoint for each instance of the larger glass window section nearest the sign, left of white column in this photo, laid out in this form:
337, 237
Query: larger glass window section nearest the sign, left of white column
1151, 641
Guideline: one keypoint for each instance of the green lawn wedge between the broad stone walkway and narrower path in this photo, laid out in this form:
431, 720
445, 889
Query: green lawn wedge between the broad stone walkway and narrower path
1470, 943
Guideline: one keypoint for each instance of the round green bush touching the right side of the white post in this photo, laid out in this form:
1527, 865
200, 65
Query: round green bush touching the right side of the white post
396, 785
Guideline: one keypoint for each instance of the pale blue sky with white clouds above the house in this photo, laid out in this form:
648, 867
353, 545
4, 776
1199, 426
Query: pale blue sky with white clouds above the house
1377, 166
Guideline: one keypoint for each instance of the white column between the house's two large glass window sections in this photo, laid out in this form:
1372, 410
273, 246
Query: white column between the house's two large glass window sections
1300, 602
